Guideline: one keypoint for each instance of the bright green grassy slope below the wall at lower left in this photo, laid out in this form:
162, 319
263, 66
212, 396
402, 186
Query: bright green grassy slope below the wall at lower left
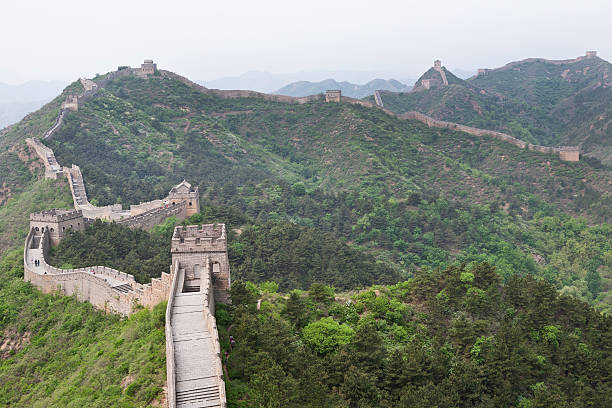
73, 355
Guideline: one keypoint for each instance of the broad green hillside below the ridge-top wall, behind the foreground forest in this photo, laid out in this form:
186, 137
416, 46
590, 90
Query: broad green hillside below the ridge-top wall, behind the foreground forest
410, 195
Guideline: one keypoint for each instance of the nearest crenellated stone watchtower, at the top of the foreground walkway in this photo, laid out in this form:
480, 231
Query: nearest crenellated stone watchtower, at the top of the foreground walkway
199, 250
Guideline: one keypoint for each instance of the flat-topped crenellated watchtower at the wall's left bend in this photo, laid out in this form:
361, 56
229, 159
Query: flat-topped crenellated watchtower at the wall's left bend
56, 222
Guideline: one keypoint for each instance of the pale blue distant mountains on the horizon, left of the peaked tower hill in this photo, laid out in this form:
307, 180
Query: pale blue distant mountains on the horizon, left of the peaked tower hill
304, 88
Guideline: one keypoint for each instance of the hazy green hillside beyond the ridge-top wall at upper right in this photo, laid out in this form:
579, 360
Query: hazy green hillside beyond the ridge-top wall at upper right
539, 101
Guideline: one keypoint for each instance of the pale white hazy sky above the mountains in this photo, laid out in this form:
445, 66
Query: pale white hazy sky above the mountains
66, 39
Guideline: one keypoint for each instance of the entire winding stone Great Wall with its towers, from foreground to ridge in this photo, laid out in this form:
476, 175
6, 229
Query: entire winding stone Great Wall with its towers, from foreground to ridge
199, 273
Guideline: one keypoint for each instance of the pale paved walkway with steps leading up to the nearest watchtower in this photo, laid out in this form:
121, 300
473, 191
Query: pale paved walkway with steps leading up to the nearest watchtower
194, 355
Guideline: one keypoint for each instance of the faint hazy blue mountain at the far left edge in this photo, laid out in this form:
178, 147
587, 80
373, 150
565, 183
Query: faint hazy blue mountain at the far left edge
16, 101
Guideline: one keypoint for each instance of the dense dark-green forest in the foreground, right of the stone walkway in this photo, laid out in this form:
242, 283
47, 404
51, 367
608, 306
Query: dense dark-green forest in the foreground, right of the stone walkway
446, 338
